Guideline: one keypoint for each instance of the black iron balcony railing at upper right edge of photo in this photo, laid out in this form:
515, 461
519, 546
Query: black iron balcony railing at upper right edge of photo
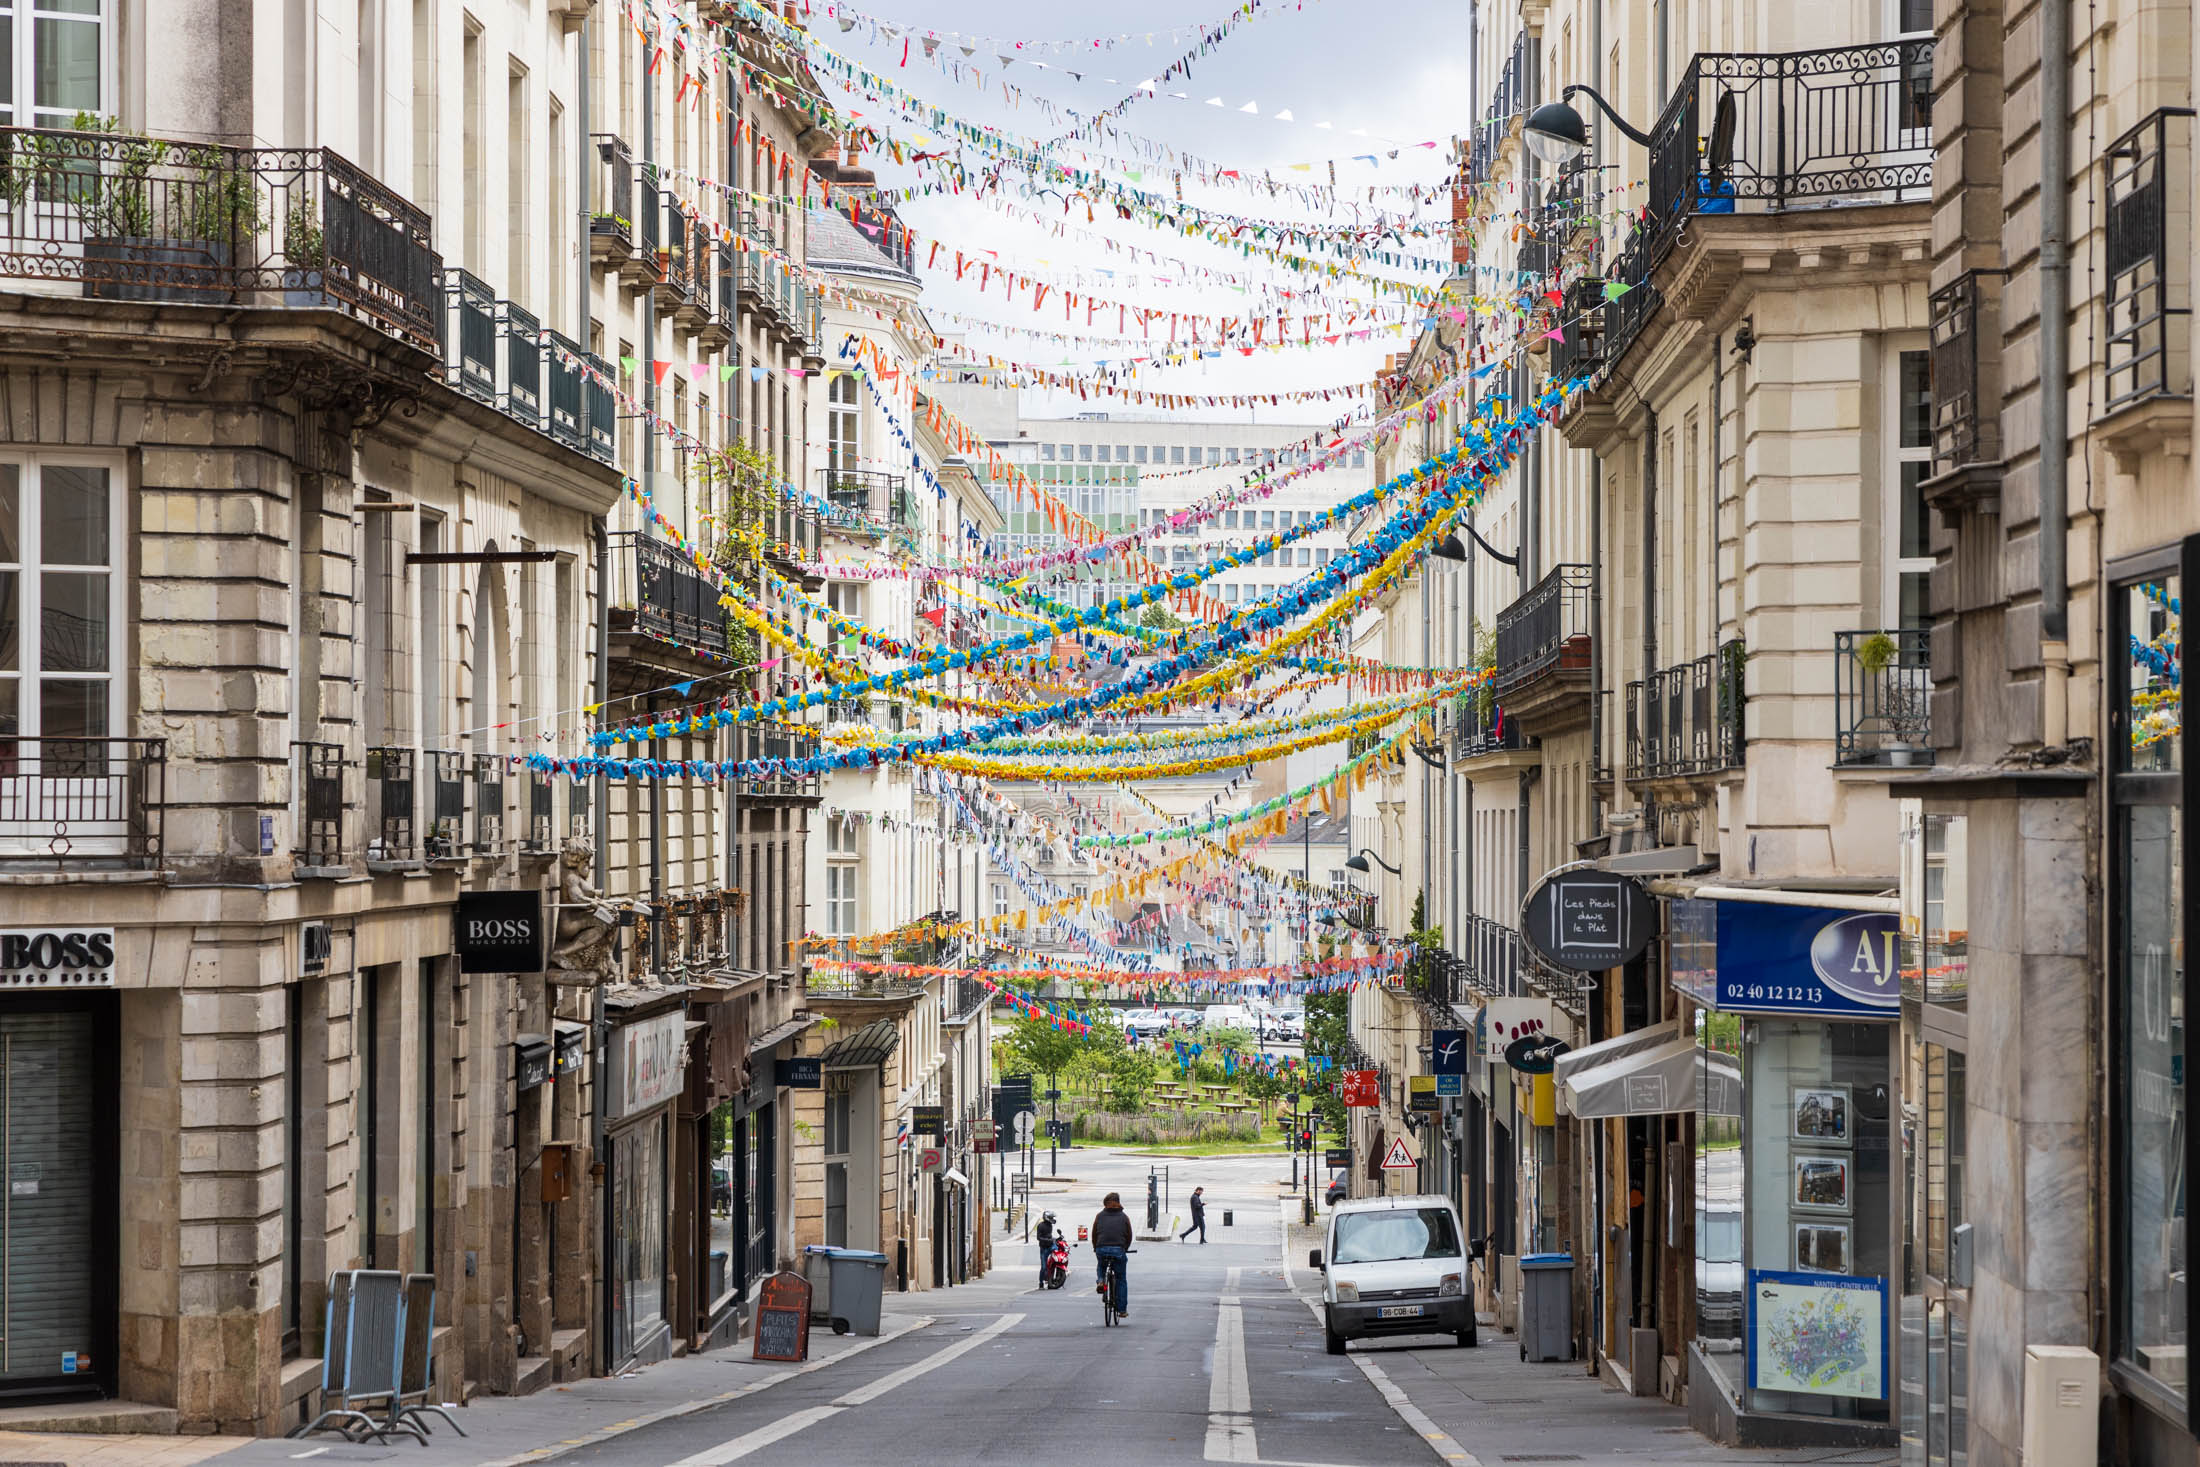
2148, 258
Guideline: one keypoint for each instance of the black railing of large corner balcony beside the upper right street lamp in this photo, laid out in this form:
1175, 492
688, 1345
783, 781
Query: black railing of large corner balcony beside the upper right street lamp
1809, 129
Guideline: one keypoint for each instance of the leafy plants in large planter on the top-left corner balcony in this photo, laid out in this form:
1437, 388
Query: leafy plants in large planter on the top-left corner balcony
162, 223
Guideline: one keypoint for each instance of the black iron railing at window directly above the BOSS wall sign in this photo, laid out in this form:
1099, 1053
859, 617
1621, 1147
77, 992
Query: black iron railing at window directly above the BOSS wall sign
71, 802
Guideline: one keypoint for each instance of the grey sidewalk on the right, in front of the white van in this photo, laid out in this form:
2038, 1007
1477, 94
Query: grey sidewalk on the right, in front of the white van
1490, 1407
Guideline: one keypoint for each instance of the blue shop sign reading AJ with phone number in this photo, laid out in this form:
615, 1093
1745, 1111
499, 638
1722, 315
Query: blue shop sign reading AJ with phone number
1757, 958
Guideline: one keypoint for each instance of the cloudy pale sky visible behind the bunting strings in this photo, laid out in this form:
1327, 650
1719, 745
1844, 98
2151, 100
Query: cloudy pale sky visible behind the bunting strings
1383, 78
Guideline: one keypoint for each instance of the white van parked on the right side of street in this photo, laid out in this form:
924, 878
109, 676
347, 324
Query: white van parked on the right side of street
1396, 1266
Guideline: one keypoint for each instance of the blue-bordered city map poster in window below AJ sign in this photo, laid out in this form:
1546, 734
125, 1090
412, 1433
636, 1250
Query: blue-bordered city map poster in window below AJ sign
1818, 1336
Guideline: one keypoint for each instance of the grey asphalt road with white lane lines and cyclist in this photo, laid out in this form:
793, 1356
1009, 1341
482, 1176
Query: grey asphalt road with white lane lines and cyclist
1215, 1363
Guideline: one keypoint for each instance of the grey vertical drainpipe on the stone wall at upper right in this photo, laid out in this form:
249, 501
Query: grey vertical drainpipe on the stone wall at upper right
2054, 371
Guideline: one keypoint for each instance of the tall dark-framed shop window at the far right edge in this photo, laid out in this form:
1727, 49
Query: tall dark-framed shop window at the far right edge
2146, 868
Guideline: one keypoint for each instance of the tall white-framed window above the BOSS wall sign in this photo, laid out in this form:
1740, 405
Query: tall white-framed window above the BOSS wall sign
56, 555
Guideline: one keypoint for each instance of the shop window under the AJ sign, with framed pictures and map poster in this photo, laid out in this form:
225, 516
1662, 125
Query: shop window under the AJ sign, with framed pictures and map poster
1820, 1206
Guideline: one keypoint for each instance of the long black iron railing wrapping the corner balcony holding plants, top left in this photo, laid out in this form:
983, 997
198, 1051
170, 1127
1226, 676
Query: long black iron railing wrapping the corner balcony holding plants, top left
137, 219
